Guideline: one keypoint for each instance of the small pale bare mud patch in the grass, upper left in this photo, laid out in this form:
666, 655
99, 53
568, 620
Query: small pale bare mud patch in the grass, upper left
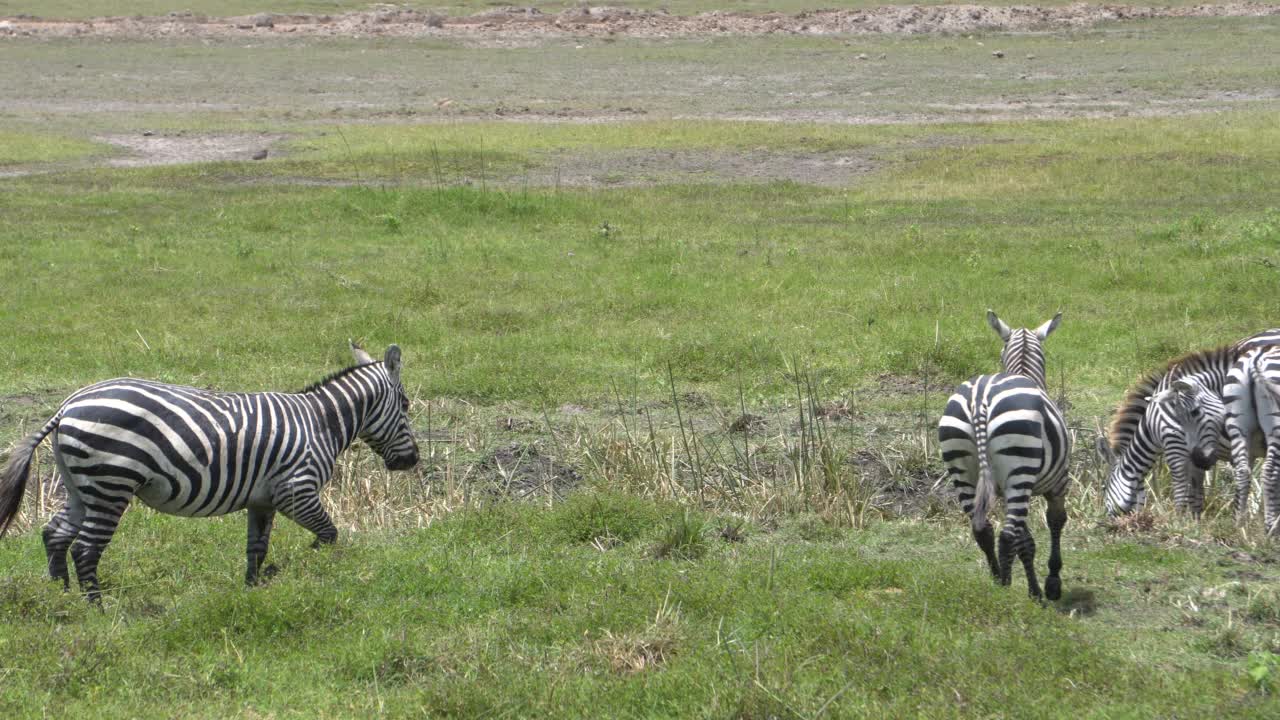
157, 149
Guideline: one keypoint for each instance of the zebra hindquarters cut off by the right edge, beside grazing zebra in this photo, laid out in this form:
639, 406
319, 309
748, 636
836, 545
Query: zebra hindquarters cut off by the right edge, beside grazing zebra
1252, 398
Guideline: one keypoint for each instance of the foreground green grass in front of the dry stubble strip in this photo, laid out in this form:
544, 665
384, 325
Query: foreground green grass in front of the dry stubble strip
513, 610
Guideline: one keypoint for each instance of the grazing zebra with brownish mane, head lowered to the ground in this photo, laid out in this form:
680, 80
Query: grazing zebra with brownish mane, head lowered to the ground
1182, 421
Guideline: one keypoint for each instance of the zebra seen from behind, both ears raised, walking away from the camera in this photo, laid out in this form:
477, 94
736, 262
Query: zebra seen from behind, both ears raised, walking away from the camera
1003, 434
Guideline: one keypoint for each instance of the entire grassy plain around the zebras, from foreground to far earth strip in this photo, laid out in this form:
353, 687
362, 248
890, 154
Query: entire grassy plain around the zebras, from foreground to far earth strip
676, 379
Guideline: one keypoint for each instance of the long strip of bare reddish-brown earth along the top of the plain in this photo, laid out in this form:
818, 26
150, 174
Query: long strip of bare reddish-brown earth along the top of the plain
611, 22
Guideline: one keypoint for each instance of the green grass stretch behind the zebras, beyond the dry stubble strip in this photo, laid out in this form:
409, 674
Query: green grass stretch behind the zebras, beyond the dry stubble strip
720, 284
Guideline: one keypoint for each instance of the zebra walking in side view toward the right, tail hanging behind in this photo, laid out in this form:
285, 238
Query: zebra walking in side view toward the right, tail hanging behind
194, 453
